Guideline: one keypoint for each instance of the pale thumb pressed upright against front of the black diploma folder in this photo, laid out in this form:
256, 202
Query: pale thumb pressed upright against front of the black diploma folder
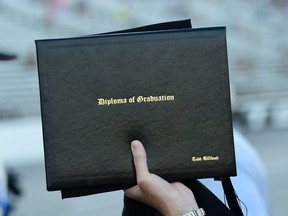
140, 159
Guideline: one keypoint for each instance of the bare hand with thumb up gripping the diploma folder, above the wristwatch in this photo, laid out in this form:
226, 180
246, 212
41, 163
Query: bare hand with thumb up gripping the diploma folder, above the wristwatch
170, 199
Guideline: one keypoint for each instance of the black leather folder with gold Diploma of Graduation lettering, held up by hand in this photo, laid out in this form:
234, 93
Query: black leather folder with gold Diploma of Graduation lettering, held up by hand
167, 88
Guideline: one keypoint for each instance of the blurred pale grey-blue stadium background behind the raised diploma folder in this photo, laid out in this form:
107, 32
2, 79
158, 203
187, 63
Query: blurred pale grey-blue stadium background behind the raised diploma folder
258, 63
